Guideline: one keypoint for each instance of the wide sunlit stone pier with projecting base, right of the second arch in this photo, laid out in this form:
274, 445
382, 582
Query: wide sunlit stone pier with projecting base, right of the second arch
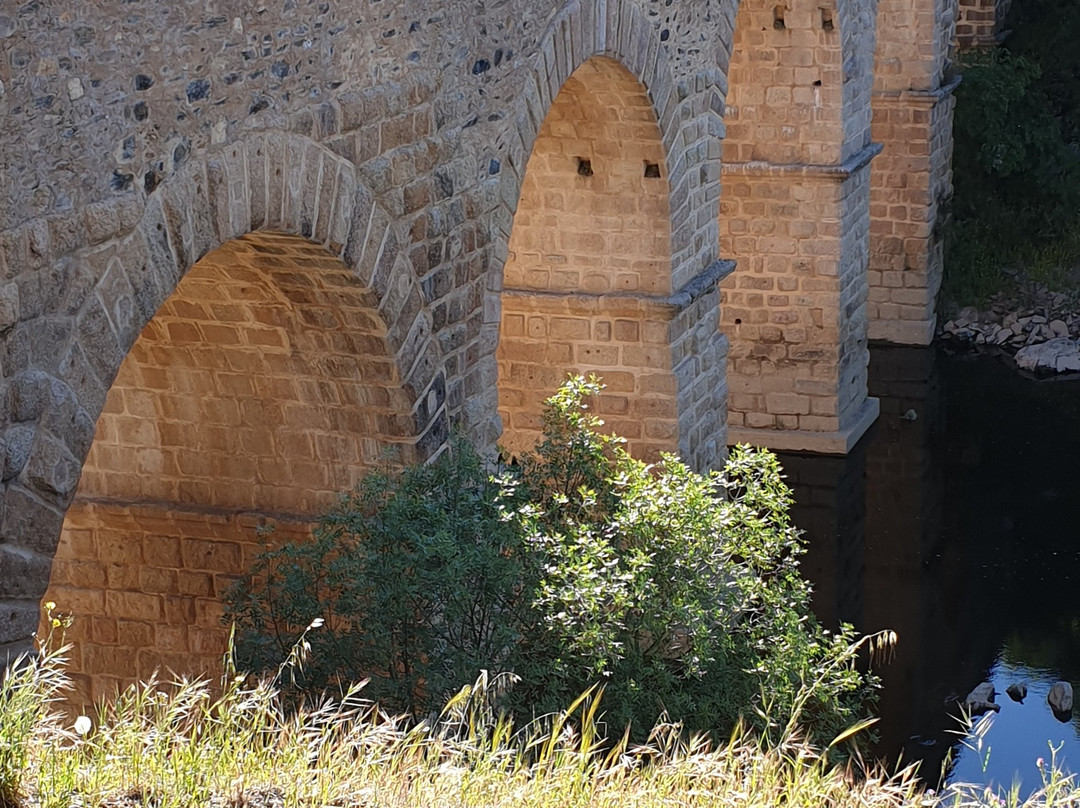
795, 219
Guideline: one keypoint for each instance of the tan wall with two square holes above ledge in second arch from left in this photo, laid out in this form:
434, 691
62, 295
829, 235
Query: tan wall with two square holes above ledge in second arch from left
593, 213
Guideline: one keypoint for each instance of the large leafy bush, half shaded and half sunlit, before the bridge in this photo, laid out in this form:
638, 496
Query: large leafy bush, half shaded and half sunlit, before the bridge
679, 594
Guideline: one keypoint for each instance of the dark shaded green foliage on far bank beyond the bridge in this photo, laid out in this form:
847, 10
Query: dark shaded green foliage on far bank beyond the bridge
1017, 167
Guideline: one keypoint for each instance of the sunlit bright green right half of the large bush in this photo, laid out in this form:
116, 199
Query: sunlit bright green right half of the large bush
680, 592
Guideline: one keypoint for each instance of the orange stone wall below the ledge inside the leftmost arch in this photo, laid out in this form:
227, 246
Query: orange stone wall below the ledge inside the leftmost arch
144, 585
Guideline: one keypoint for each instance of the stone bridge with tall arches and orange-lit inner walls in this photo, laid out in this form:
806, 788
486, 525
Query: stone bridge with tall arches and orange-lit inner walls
249, 249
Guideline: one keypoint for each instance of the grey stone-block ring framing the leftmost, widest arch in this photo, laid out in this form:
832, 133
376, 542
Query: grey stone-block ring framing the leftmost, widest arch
60, 368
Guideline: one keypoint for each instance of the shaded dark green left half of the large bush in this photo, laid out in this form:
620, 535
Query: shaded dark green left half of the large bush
414, 576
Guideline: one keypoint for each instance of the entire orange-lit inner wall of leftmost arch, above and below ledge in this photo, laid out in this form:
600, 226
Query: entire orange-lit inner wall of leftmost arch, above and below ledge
262, 388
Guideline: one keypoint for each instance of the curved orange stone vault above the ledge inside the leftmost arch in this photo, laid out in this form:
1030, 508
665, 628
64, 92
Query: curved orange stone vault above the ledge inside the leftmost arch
263, 382
